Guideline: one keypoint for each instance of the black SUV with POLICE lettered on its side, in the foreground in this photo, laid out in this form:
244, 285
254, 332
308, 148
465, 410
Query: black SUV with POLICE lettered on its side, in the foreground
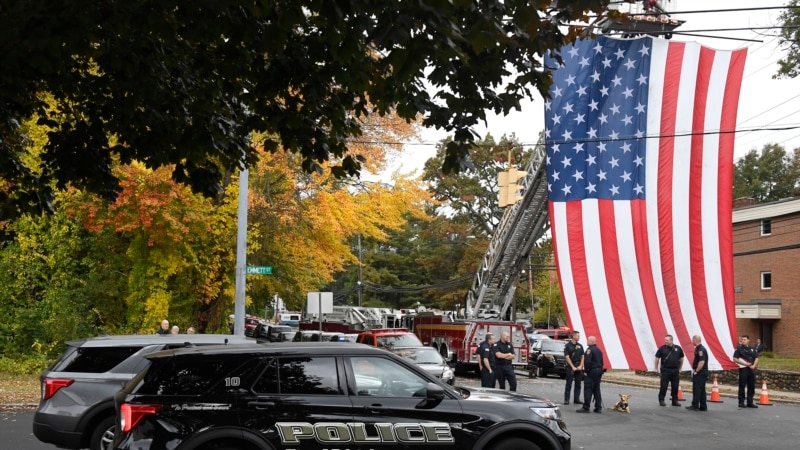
320, 396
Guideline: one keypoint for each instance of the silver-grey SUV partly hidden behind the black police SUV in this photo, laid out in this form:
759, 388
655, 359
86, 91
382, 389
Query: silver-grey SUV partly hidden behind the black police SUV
76, 409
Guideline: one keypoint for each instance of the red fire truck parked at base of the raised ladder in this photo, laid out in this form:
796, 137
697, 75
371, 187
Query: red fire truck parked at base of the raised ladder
458, 341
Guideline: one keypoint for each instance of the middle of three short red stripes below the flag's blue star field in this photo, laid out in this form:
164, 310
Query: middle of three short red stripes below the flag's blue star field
619, 304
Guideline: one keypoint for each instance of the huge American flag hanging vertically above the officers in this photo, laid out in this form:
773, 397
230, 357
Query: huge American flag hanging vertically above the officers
639, 136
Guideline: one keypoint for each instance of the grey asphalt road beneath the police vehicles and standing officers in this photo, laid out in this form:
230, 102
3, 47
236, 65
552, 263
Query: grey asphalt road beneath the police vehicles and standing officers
649, 426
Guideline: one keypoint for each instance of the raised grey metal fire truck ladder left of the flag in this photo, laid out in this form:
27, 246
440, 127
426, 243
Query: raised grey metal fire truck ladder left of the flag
523, 223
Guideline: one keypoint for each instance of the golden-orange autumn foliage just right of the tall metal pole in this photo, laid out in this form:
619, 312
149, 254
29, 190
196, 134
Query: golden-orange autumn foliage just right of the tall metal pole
306, 223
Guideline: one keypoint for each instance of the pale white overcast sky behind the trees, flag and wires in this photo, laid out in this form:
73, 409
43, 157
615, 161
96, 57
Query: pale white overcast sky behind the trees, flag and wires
764, 102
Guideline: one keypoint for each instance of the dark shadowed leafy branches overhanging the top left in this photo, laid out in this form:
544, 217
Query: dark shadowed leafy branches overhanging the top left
184, 84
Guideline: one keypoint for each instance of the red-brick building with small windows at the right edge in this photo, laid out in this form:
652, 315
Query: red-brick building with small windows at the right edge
766, 260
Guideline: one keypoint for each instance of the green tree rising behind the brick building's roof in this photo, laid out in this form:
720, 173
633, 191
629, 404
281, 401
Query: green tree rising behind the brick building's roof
767, 176
